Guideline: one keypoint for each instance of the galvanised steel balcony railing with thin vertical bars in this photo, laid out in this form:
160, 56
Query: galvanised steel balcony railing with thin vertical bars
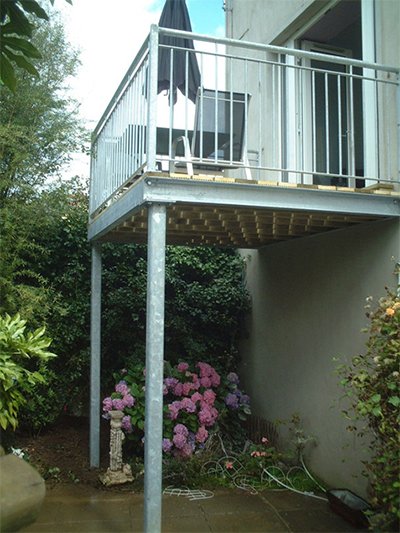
308, 118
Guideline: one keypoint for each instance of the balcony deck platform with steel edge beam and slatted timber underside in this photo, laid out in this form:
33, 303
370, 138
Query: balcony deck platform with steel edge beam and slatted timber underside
221, 211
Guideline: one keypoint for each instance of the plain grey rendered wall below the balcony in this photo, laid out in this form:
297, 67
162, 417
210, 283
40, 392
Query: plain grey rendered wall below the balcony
307, 307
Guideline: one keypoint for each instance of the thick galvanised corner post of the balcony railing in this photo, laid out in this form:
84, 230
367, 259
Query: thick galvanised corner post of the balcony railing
151, 134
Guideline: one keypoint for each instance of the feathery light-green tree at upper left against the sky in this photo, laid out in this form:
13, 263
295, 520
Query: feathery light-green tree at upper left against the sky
39, 127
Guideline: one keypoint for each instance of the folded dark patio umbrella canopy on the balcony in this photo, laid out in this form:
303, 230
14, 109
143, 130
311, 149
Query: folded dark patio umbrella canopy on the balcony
175, 15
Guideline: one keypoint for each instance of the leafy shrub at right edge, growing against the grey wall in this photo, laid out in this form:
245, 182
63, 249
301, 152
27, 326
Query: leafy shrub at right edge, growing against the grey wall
372, 384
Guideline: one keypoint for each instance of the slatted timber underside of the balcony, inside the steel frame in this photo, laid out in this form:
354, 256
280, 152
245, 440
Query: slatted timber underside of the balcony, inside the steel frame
192, 225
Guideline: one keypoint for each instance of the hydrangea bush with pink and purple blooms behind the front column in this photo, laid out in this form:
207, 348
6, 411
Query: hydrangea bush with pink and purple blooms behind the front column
196, 400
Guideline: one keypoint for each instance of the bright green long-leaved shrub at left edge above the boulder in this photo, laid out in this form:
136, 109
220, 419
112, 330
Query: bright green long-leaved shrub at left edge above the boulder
22, 365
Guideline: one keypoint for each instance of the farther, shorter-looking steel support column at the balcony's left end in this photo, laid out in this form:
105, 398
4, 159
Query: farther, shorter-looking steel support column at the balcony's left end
95, 354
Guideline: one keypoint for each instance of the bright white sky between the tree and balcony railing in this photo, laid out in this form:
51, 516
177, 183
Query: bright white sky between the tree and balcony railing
108, 34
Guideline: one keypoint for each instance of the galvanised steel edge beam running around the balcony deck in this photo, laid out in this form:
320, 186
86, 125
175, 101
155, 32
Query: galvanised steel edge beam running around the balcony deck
155, 189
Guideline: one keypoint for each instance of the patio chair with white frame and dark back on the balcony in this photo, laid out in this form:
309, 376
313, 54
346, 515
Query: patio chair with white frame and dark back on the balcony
218, 140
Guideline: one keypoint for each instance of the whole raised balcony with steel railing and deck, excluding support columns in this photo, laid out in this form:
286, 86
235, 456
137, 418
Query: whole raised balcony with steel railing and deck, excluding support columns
275, 144
